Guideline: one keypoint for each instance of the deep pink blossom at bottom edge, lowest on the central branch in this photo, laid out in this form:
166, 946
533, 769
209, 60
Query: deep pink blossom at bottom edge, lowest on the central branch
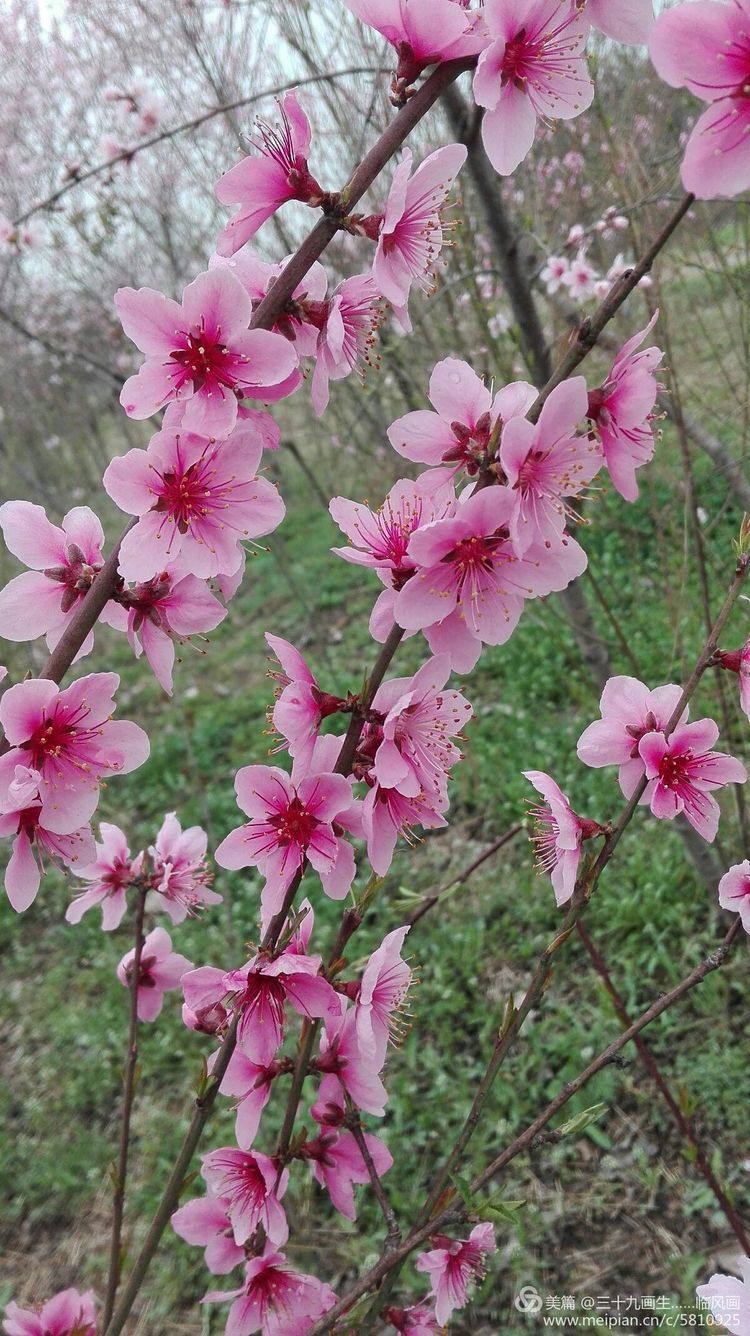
275, 1301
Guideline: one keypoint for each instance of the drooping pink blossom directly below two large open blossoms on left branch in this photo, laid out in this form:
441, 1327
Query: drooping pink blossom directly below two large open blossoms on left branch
168, 607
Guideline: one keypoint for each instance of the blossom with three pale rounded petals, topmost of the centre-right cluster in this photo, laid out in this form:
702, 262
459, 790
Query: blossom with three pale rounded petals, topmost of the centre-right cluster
466, 416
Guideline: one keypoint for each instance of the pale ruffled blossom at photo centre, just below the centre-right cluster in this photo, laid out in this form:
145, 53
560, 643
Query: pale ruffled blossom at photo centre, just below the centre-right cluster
415, 751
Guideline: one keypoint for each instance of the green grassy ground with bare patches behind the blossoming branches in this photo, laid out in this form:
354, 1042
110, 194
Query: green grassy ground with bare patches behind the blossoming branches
618, 1210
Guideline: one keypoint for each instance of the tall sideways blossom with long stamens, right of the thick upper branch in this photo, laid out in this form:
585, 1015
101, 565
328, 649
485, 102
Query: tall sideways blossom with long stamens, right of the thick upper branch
411, 233
